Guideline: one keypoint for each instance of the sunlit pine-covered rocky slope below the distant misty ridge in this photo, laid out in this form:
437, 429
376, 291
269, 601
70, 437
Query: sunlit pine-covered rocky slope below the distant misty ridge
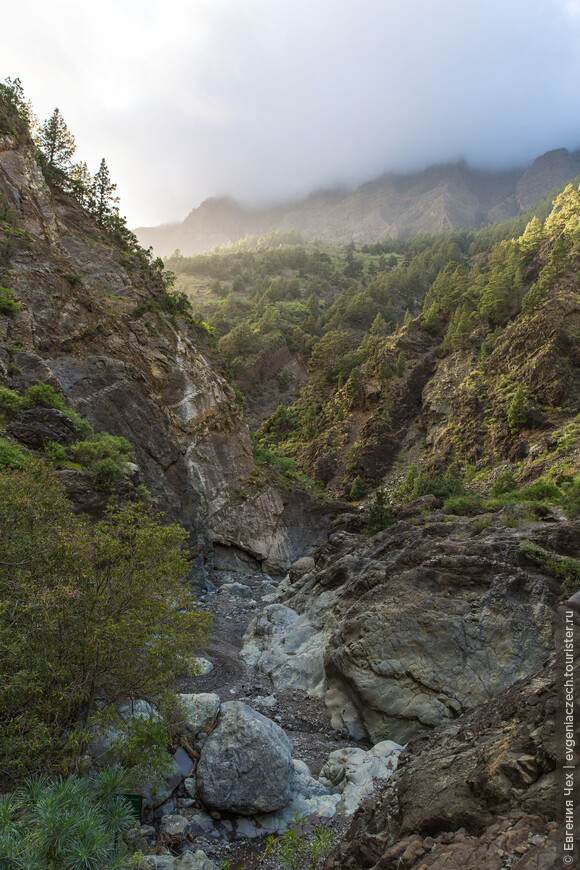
461, 347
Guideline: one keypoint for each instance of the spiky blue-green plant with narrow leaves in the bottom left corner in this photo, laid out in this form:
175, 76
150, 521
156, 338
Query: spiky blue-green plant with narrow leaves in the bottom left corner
66, 824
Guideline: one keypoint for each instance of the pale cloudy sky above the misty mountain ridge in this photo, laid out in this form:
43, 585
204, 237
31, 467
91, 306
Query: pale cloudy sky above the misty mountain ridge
269, 100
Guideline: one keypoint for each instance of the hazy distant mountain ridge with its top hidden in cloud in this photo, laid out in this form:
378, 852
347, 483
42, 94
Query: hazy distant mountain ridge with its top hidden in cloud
439, 198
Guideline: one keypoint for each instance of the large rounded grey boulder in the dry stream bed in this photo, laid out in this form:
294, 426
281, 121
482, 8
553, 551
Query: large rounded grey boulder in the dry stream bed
246, 763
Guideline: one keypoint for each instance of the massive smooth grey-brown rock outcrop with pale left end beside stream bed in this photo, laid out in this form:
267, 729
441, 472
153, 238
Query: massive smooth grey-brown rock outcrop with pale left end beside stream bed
416, 625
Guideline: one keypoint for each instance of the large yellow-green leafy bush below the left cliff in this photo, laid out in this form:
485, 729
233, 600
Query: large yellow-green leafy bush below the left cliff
109, 606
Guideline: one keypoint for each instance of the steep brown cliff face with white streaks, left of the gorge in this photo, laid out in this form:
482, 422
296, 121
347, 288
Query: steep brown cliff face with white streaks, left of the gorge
92, 324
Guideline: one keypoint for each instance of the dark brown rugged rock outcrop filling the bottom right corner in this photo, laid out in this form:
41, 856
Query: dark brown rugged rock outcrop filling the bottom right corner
475, 793
